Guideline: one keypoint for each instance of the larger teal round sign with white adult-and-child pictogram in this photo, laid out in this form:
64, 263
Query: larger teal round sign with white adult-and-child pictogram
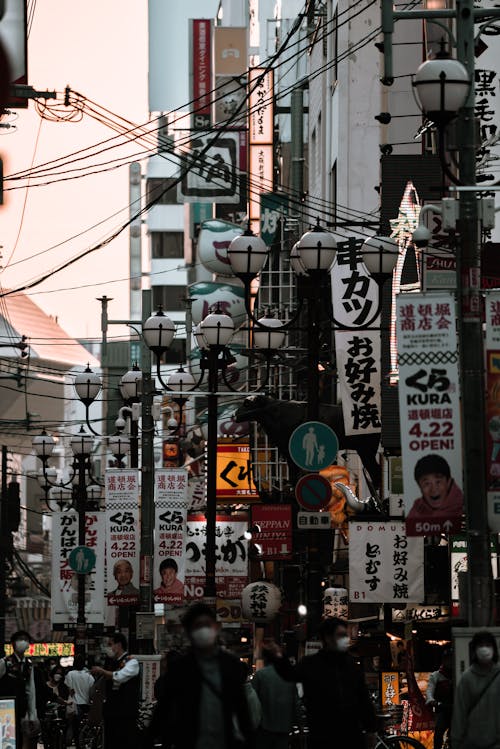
313, 446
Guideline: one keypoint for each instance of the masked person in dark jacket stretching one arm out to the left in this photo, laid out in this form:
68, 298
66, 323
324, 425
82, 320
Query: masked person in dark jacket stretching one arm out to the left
339, 709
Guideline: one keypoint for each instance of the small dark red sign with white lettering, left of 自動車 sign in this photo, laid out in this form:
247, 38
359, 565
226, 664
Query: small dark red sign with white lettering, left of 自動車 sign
275, 530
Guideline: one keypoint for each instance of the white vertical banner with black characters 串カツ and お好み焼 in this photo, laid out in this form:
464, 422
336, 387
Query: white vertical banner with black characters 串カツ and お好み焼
355, 301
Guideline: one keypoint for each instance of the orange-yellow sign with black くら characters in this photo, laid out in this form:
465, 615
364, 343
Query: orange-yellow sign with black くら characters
234, 477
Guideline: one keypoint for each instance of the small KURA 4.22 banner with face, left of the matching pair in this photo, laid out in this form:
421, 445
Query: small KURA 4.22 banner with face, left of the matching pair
122, 536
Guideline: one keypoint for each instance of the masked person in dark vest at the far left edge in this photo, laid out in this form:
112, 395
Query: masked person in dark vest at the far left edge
17, 679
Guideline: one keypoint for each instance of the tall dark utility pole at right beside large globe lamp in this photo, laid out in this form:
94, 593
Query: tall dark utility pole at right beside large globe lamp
480, 583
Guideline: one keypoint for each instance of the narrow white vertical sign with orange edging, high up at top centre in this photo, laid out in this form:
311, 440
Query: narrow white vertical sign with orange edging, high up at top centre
260, 134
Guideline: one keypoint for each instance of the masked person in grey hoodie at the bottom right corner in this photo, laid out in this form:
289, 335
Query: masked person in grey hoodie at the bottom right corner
476, 715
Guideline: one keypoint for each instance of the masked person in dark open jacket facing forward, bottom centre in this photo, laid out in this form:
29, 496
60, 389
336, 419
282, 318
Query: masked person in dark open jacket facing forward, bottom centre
203, 699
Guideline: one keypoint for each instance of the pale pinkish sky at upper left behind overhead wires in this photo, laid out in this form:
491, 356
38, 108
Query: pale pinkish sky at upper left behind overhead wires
100, 50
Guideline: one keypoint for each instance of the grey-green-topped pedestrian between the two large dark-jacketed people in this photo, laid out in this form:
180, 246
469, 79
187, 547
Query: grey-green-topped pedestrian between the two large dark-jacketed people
279, 706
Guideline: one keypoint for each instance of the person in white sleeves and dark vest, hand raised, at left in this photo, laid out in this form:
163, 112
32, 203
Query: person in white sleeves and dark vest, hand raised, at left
121, 695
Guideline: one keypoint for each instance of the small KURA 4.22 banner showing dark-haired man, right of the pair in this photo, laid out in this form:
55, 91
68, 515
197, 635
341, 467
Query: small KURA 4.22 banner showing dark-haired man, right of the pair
171, 501
